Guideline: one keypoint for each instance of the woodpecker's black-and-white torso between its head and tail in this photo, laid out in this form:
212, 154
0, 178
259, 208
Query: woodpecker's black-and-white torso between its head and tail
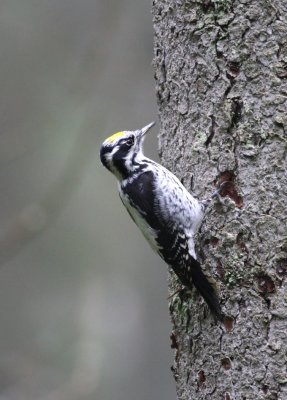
161, 207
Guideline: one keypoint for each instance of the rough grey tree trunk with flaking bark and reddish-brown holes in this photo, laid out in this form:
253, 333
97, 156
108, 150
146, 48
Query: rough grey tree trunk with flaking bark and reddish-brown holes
220, 68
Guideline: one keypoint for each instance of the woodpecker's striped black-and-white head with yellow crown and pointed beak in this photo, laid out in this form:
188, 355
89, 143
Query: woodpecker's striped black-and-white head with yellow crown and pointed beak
121, 152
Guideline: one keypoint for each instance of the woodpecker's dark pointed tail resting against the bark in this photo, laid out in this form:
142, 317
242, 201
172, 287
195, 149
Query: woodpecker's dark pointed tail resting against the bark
193, 272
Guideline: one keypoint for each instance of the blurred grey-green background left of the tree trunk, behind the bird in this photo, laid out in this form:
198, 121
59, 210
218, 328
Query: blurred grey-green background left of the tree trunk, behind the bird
83, 299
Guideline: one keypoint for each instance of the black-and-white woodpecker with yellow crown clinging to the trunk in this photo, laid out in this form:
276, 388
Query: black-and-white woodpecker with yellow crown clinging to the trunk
166, 213
